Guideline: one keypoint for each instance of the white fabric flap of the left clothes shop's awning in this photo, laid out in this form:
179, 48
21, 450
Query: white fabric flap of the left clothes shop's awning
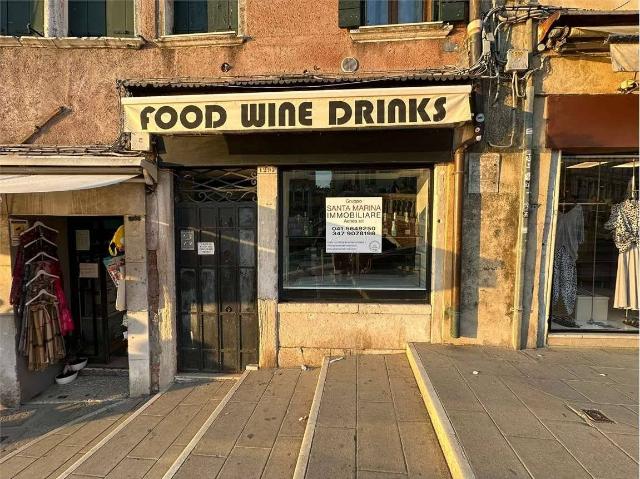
47, 183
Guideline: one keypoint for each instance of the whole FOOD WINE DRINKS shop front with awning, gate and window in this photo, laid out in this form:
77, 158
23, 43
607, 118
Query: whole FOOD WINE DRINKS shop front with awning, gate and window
307, 222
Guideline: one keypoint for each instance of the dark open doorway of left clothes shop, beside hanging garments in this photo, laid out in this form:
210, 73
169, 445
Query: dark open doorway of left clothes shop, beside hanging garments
101, 333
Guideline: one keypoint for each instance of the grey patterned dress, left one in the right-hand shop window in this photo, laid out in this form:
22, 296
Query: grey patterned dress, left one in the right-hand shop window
569, 237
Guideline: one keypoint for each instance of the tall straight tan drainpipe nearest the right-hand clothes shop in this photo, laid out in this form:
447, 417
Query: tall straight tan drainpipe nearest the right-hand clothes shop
525, 189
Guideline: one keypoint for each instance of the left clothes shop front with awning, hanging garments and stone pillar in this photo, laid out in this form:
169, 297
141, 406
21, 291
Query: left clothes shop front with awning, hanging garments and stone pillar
63, 278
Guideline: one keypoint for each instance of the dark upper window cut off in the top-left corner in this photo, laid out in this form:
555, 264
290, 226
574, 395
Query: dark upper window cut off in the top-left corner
21, 17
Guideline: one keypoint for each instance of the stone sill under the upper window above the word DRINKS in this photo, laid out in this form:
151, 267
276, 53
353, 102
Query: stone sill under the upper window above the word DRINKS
401, 32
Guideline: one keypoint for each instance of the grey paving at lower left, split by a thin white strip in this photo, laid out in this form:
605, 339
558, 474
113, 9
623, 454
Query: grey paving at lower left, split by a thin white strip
145, 447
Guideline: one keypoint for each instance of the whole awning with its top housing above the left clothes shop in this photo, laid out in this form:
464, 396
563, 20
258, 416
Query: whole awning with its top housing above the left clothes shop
33, 170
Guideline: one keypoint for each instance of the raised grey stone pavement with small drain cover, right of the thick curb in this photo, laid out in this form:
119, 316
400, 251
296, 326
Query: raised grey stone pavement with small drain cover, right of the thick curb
518, 414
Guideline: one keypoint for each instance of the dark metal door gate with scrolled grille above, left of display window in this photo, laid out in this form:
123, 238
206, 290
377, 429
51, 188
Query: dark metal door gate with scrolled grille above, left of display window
216, 219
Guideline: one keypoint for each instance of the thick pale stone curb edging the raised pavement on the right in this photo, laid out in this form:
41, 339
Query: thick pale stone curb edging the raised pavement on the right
451, 447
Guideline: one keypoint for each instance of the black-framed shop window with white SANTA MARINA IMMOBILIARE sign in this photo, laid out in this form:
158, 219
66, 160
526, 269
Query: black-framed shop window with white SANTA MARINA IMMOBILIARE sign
355, 234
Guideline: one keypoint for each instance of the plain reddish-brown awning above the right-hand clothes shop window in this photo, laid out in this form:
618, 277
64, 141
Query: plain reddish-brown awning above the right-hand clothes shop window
592, 123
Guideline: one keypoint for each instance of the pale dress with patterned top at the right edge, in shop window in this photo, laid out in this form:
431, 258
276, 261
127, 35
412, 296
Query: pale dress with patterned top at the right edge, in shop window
623, 224
